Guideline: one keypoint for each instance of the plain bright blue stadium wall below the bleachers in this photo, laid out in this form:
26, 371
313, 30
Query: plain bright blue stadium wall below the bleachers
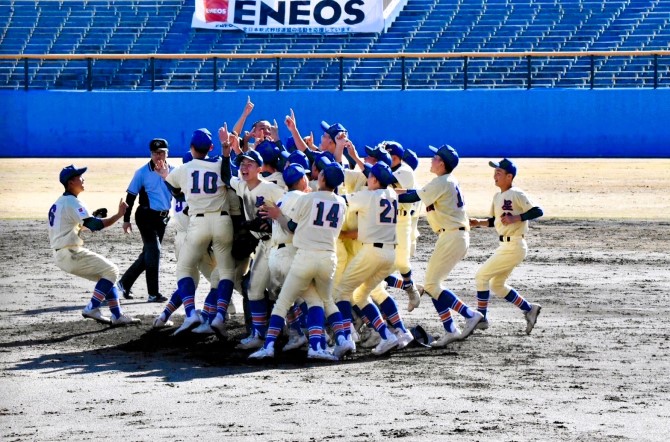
478, 123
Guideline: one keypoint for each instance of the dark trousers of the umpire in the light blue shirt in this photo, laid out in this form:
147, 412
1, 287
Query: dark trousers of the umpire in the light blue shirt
151, 225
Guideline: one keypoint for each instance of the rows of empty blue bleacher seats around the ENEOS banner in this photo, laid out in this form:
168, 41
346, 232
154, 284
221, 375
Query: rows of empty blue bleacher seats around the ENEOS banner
424, 26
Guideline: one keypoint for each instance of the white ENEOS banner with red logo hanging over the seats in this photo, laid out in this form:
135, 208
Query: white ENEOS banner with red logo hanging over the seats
290, 16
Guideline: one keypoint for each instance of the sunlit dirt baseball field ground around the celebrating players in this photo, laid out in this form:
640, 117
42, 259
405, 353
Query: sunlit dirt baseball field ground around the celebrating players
594, 368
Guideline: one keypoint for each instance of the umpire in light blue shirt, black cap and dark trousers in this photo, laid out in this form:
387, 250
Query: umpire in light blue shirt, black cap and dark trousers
151, 218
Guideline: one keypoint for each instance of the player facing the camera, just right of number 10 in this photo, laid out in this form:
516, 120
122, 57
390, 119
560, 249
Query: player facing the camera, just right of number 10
254, 193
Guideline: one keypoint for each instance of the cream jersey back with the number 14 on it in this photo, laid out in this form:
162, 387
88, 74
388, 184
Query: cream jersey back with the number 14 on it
319, 216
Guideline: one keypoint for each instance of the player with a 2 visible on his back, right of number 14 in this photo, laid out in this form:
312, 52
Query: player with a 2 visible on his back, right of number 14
377, 208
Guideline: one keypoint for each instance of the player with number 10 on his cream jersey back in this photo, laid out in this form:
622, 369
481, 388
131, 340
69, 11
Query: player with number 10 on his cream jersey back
202, 183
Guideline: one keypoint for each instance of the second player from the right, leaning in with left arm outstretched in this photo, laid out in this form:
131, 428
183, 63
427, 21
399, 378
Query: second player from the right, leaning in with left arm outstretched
447, 217
